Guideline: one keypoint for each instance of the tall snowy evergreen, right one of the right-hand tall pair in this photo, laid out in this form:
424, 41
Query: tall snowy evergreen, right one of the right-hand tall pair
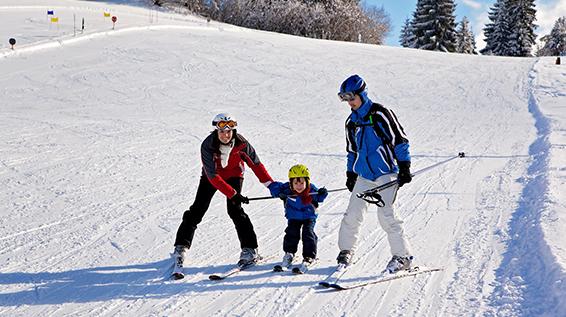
521, 35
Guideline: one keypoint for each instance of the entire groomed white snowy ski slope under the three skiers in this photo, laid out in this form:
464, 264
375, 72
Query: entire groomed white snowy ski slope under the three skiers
99, 157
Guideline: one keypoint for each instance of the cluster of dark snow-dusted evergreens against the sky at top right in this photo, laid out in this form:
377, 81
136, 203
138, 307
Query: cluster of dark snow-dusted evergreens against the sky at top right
510, 31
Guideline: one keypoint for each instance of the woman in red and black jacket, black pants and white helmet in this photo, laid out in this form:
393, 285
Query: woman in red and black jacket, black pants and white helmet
223, 154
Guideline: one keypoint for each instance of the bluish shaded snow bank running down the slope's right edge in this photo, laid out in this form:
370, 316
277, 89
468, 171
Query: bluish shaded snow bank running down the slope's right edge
529, 281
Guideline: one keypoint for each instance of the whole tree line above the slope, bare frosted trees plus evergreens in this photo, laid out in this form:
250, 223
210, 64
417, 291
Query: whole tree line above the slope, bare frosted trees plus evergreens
432, 26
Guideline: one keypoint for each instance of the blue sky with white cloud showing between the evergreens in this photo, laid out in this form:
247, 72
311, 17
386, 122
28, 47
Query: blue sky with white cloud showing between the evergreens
548, 11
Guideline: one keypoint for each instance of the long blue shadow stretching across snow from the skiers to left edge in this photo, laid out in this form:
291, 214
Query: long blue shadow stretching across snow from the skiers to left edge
131, 282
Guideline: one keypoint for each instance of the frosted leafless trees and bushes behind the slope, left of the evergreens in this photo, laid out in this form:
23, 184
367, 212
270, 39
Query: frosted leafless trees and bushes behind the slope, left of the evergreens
342, 20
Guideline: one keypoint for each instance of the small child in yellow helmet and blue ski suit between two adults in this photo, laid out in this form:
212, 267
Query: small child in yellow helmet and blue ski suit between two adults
301, 199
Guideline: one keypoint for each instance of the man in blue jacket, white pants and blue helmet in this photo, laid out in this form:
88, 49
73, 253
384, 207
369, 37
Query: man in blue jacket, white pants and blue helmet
378, 152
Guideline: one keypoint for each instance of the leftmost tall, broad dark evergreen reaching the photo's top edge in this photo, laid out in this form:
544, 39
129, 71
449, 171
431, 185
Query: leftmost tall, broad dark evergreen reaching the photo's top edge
435, 27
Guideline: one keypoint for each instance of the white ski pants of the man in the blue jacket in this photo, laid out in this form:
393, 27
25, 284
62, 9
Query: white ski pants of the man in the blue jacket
388, 219
